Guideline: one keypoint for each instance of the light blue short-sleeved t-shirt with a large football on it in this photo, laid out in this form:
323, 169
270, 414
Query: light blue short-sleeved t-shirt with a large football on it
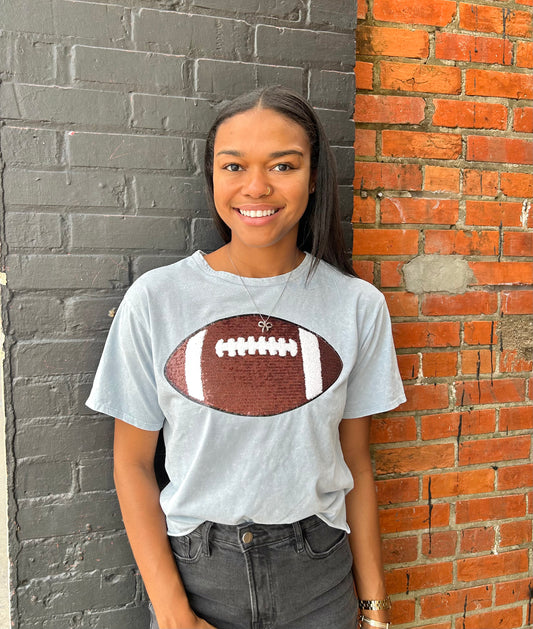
250, 414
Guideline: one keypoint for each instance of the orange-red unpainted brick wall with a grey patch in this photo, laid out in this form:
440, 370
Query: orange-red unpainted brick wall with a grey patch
443, 226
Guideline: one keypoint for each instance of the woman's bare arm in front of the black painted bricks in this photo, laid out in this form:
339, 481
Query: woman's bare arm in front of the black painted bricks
138, 494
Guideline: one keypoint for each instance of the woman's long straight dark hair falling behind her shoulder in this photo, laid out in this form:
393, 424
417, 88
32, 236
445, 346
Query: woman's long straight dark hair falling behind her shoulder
319, 231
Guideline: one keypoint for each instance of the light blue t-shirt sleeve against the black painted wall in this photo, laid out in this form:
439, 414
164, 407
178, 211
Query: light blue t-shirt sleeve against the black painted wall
125, 385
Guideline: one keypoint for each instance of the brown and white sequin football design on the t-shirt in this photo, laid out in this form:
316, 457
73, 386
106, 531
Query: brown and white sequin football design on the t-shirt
235, 367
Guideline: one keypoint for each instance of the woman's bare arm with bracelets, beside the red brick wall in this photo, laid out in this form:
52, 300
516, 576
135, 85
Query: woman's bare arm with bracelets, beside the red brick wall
362, 515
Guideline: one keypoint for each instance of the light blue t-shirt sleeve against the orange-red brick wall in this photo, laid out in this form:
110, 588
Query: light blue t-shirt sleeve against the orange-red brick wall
374, 384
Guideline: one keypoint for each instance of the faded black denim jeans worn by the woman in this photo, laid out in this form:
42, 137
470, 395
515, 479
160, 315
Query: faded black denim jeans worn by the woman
257, 576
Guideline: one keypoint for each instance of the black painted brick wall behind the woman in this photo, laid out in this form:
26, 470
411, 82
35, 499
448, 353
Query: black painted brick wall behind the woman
104, 110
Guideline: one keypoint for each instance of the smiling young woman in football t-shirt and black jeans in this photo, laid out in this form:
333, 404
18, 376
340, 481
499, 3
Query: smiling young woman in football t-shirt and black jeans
262, 363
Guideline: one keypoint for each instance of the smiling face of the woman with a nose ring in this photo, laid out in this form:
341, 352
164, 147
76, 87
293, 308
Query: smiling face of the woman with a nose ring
262, 177
